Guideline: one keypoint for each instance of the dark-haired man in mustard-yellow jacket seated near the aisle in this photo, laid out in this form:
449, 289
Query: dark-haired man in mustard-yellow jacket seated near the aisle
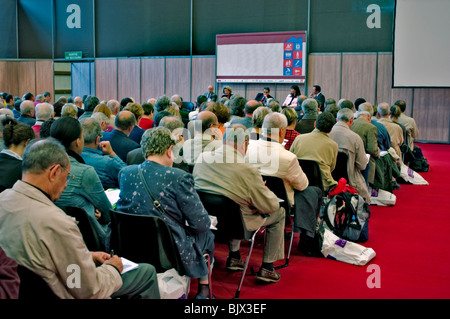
319, 147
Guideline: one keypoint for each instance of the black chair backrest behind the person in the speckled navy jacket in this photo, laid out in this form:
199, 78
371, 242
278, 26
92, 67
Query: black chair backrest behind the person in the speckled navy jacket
145, 239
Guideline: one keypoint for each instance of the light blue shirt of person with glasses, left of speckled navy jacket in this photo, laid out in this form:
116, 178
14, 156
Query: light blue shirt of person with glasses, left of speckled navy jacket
107, 167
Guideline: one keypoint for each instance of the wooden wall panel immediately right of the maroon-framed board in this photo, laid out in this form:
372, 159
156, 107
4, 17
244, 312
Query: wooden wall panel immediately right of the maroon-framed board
325, 70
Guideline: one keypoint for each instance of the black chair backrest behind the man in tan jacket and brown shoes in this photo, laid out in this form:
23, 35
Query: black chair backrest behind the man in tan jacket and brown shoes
230, 223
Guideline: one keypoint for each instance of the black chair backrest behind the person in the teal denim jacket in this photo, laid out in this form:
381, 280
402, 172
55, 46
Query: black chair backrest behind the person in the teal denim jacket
87, 229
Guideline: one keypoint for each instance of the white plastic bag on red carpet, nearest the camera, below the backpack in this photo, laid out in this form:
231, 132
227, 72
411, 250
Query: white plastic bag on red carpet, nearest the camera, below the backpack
339, 249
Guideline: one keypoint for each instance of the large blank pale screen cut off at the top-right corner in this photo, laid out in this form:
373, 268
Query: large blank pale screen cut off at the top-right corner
421, 56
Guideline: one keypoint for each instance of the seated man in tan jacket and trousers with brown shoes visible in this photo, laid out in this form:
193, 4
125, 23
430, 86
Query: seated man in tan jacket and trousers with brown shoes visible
225, 172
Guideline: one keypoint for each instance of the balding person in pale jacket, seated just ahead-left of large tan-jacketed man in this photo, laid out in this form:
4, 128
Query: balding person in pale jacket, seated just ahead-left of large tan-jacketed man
207, 136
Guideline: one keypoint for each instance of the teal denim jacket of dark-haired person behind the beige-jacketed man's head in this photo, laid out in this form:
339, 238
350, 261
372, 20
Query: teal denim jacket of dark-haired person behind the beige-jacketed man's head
86, 191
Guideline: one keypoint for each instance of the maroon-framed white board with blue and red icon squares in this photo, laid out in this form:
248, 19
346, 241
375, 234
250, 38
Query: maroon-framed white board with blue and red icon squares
277, 57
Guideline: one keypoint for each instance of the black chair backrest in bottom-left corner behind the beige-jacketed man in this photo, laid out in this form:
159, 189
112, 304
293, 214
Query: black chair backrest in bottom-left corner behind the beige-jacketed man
33, 286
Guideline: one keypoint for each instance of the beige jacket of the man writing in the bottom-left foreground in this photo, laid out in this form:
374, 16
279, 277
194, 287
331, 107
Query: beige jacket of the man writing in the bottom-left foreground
40, 236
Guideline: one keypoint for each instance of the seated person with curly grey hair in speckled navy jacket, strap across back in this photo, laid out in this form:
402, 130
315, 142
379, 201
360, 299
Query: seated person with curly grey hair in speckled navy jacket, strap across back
174, 189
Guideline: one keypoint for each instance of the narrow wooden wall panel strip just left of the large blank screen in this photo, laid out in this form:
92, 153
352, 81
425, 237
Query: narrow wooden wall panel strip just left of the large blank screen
384, 79
